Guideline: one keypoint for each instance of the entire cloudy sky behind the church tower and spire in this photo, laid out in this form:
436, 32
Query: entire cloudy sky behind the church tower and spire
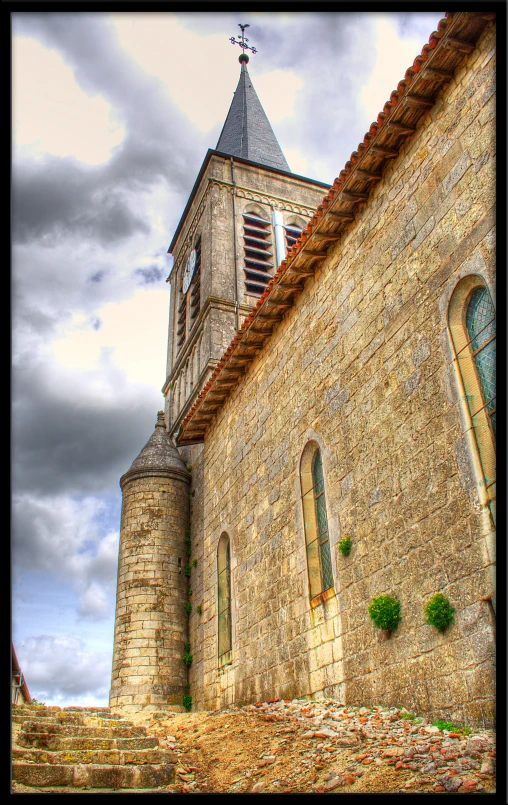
112, 116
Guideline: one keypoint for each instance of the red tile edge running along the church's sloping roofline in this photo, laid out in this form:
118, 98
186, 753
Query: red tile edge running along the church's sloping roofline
335, 188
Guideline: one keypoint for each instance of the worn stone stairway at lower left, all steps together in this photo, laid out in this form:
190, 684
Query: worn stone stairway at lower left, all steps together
86, 748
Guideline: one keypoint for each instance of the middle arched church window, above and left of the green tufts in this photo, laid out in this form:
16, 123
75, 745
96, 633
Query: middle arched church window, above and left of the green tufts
319, 561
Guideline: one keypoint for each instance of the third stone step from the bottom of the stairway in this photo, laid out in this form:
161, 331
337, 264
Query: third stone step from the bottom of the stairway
41, 740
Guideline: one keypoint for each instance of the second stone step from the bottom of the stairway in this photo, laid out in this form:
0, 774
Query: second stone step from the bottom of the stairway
114, 757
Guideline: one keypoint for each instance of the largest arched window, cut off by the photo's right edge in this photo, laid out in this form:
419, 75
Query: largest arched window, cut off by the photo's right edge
472, 321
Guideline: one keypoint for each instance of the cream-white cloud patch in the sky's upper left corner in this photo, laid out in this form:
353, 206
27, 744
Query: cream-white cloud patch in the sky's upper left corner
52, 114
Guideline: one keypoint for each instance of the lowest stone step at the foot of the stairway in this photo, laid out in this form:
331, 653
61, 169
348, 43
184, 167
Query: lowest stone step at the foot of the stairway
92, 776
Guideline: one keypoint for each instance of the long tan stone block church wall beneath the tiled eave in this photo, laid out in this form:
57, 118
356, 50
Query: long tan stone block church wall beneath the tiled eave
363, 365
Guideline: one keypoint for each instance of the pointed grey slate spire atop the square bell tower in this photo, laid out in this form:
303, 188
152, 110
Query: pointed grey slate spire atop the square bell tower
247, 131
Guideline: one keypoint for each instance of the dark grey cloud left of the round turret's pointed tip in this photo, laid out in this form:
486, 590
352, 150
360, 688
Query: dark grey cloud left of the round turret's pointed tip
74, 440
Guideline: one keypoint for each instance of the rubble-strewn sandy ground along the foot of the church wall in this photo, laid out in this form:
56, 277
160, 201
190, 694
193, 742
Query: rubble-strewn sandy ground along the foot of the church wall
322, 746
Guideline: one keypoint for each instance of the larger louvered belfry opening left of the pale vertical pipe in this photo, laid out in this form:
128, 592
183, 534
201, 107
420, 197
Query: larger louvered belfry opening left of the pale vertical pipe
258, 253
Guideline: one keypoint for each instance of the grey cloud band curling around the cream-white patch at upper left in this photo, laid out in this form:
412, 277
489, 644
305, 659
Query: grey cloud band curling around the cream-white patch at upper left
57, 197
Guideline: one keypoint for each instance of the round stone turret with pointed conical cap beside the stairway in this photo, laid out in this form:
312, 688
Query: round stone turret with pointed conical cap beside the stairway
151, 622
